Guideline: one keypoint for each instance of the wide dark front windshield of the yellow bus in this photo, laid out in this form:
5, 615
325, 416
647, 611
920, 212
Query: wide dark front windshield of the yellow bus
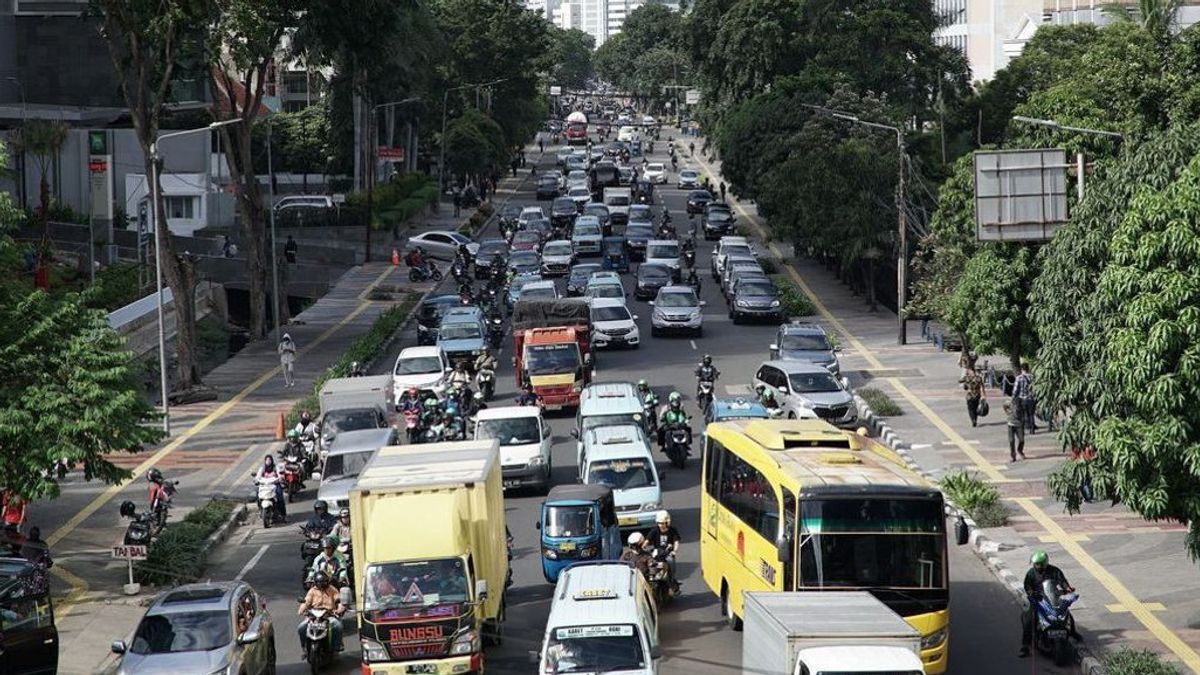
873, 542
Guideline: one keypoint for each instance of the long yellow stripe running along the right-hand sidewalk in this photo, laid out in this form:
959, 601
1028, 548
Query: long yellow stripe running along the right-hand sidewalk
1143, 613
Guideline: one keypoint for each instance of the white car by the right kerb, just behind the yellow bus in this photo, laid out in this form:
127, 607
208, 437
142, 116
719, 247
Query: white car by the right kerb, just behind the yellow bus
802, 386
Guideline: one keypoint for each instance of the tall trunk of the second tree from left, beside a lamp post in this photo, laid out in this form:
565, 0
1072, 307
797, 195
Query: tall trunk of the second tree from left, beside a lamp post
244, 44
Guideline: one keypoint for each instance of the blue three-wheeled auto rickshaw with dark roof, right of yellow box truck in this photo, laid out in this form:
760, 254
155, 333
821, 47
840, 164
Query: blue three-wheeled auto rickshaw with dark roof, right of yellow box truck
579, 523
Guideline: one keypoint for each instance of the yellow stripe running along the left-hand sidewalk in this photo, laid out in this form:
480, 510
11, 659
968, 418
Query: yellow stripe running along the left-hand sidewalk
77, 584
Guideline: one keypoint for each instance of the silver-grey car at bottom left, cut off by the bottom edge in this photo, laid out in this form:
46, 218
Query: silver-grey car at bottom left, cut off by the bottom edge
212, 628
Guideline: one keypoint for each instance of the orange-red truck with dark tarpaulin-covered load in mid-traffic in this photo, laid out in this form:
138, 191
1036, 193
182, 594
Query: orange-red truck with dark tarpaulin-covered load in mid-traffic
553, 349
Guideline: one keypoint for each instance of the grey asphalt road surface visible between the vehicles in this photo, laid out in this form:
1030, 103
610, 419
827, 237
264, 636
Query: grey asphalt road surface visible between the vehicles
986, 632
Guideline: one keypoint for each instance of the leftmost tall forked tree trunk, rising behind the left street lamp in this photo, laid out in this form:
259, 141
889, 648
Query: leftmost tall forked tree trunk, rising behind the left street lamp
147, 43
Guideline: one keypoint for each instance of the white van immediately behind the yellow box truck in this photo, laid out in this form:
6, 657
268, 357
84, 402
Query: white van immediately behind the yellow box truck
525, 444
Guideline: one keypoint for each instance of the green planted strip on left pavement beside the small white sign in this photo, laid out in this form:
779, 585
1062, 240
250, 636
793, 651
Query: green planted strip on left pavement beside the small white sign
179, 554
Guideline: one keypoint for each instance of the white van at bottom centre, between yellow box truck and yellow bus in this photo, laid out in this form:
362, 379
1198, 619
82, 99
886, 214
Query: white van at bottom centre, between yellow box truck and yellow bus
603, 619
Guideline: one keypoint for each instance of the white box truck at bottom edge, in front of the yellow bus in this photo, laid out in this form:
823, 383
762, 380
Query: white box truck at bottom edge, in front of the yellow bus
818, 634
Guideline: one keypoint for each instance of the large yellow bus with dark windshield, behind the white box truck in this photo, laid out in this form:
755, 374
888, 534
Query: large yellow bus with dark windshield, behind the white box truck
802, 506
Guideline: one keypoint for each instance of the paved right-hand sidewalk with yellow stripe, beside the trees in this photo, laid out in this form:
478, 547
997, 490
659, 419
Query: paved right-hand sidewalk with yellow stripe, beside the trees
1138, 587
